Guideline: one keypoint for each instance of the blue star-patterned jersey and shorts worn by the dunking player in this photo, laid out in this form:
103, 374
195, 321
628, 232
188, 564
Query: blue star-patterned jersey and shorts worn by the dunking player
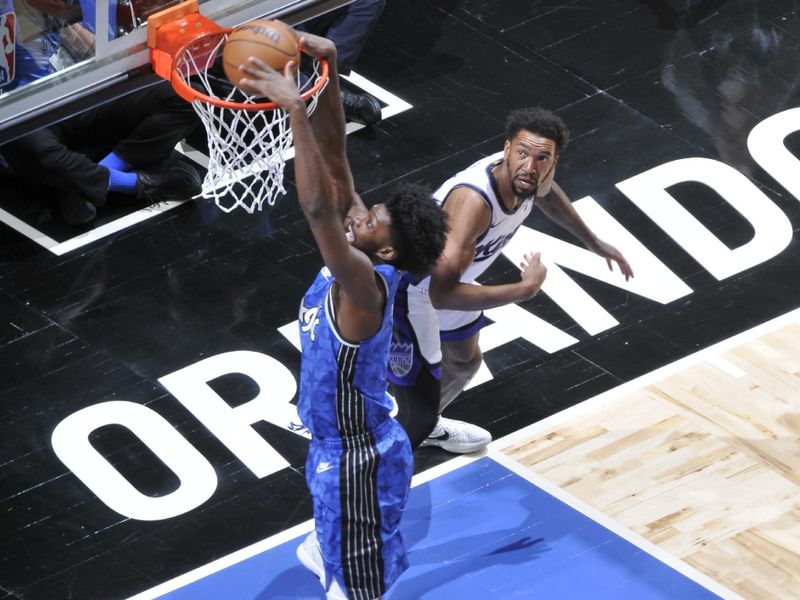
359, 461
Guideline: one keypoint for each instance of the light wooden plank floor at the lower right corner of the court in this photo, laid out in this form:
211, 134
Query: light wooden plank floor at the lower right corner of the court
703, 462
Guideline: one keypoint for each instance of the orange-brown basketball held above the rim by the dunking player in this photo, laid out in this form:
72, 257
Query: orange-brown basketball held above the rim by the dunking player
272, 42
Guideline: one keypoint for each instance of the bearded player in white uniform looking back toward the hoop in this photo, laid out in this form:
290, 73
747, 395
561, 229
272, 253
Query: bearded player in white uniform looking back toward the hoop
435, 351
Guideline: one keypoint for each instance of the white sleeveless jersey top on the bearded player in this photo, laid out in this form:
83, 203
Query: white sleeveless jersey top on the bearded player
504, 223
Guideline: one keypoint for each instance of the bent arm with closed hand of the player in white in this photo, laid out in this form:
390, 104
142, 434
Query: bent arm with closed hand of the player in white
469, 218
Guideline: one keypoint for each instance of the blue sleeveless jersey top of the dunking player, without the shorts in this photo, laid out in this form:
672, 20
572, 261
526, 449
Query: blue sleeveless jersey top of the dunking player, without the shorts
342, 384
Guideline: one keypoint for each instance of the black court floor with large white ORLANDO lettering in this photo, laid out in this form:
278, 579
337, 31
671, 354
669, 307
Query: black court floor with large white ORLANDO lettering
135, 346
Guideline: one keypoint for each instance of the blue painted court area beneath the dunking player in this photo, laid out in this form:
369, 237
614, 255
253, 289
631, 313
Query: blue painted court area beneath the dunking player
479, 532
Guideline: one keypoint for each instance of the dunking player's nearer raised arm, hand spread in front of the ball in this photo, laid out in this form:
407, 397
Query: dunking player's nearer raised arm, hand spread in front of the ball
321, 195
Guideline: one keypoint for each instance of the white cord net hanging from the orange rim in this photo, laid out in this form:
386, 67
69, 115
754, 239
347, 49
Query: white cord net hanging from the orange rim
247, 149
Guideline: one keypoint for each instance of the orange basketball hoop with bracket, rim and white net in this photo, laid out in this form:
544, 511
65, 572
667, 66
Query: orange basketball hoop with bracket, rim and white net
248, 140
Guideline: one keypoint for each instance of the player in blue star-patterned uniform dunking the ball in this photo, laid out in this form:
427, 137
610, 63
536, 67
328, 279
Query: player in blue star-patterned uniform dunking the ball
360, 462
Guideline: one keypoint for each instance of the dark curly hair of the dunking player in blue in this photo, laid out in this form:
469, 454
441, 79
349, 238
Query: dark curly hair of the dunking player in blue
418, 230
